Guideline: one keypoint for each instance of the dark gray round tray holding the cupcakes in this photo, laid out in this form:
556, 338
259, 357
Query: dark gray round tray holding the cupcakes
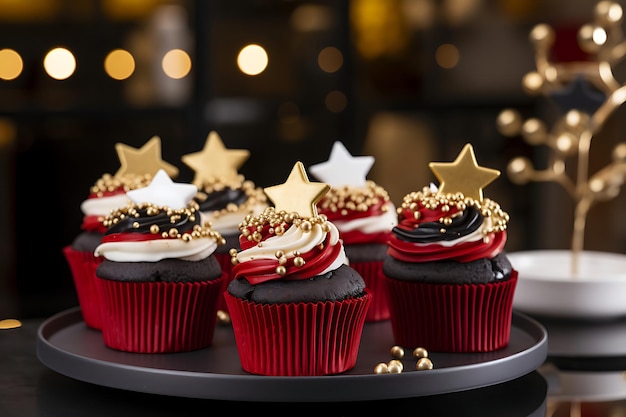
66, 345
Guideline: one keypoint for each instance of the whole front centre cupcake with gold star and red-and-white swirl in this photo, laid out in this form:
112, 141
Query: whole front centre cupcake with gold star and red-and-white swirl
297, 308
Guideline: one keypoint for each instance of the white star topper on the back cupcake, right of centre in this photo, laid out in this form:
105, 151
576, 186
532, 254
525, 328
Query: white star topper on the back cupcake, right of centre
342, 168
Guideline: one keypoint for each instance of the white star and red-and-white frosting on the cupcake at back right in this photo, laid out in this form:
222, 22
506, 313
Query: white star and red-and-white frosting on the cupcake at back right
359, 208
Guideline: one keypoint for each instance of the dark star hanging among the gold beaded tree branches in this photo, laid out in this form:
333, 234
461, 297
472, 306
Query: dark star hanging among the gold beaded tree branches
579, 95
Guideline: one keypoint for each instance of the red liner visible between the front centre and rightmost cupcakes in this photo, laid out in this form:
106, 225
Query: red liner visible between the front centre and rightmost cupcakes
372, 273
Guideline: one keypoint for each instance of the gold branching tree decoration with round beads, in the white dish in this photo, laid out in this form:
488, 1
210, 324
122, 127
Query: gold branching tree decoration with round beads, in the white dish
588, 94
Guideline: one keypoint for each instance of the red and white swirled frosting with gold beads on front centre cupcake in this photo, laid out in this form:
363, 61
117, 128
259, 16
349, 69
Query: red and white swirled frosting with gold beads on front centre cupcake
279, 245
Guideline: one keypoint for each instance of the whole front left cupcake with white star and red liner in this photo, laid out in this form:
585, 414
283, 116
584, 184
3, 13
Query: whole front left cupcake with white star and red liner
159, 279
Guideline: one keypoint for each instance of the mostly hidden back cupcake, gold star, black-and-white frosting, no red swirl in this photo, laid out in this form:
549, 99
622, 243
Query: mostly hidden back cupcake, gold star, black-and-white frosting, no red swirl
224, 196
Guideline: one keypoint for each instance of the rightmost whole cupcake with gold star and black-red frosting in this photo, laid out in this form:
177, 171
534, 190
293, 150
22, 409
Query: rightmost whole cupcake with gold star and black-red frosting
450, 282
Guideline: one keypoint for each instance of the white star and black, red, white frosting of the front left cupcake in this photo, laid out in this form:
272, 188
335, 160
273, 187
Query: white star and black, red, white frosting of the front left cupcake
160, 221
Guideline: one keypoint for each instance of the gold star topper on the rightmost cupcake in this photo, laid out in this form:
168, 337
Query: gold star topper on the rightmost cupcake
464, 175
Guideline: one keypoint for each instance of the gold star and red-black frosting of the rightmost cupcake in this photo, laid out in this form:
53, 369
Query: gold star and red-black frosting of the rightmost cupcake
453, 221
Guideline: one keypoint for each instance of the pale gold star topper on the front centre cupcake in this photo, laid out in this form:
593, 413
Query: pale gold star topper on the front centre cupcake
297, 194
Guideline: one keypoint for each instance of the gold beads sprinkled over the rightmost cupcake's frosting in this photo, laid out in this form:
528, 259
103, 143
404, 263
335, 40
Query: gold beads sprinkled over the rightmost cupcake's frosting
446, 202
